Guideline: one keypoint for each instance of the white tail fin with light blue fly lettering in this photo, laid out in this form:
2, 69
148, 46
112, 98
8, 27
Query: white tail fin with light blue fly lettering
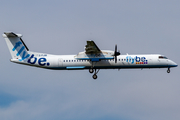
16, 46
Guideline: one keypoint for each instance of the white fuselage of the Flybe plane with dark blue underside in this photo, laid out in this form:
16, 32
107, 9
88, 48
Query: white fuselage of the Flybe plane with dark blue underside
70, 62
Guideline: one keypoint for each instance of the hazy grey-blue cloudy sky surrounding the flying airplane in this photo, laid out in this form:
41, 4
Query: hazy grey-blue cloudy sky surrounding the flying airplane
63, 27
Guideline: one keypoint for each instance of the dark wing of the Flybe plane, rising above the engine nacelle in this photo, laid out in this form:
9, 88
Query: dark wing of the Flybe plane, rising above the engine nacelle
92, 48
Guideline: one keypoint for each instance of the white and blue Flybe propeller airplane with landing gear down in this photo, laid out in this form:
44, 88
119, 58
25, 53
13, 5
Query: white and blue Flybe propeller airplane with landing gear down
92, 58
